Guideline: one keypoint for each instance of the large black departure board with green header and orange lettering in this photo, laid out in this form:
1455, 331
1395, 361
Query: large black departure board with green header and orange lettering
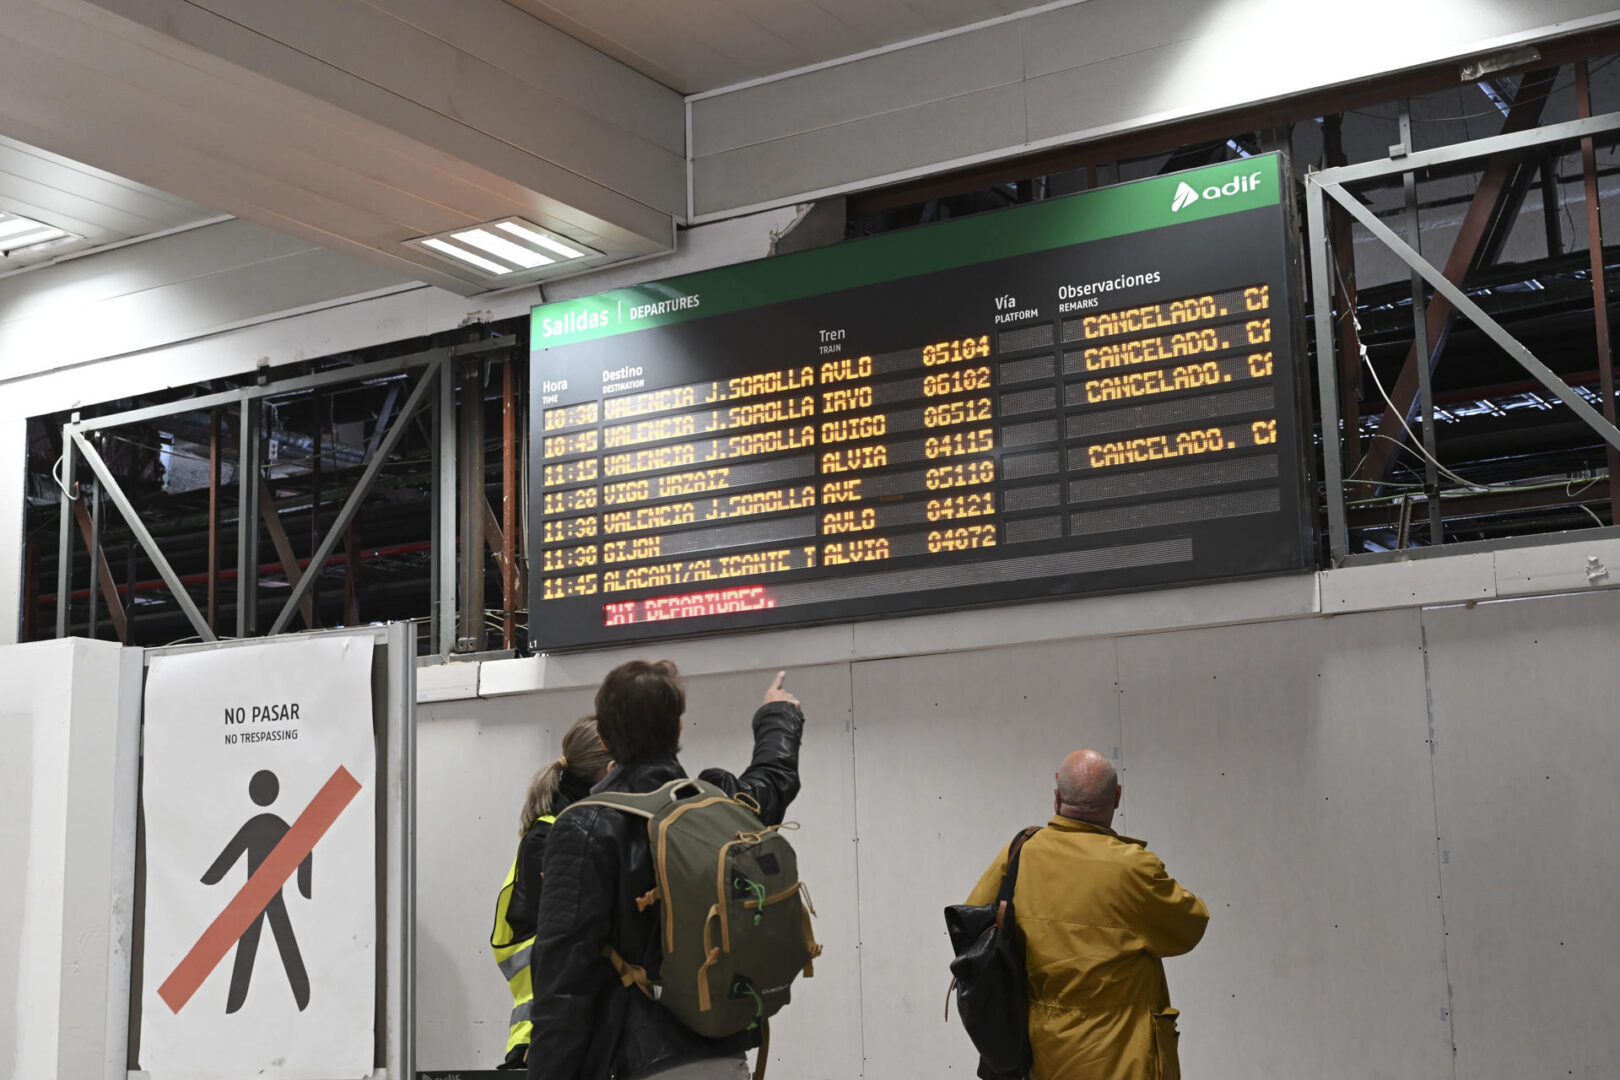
1080, 396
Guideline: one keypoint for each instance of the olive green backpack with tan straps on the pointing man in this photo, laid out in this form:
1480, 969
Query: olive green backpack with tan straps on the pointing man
735, 916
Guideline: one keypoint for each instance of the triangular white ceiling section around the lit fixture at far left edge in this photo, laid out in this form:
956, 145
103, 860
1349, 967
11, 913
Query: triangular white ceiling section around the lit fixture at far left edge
95, 206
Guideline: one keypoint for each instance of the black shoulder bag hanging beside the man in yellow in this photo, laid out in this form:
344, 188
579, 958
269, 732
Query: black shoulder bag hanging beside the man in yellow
989, 977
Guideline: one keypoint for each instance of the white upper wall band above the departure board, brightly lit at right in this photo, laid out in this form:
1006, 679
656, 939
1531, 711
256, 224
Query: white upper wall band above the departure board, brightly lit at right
1086, 70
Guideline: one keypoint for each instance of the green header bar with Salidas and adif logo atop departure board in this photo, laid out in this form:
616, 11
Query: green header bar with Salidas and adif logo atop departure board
1119, 211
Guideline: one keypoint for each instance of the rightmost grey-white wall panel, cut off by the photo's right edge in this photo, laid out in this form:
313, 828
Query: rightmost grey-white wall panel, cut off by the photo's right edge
1527, 757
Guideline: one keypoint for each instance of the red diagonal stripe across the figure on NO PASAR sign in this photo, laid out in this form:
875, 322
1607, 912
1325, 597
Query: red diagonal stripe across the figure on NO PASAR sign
247, 906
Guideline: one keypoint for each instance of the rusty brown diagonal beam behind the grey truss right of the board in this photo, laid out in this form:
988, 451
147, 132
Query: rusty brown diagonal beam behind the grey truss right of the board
1478, 240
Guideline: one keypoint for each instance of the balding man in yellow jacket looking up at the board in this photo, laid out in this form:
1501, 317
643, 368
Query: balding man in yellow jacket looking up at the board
1099, 914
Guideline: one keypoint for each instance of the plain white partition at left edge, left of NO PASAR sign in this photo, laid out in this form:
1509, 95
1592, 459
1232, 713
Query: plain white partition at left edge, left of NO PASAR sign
67, 801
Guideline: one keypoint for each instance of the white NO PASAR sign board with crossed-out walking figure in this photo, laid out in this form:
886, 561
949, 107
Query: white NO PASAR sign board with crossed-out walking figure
258, 793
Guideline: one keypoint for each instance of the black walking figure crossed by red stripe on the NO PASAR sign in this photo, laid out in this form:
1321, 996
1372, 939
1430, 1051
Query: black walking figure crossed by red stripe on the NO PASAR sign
275, 853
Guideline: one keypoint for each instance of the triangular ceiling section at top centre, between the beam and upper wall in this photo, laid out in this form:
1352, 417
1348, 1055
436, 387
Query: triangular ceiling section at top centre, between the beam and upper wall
706, 45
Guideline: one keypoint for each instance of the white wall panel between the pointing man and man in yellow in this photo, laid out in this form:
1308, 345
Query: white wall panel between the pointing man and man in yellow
955, 754
